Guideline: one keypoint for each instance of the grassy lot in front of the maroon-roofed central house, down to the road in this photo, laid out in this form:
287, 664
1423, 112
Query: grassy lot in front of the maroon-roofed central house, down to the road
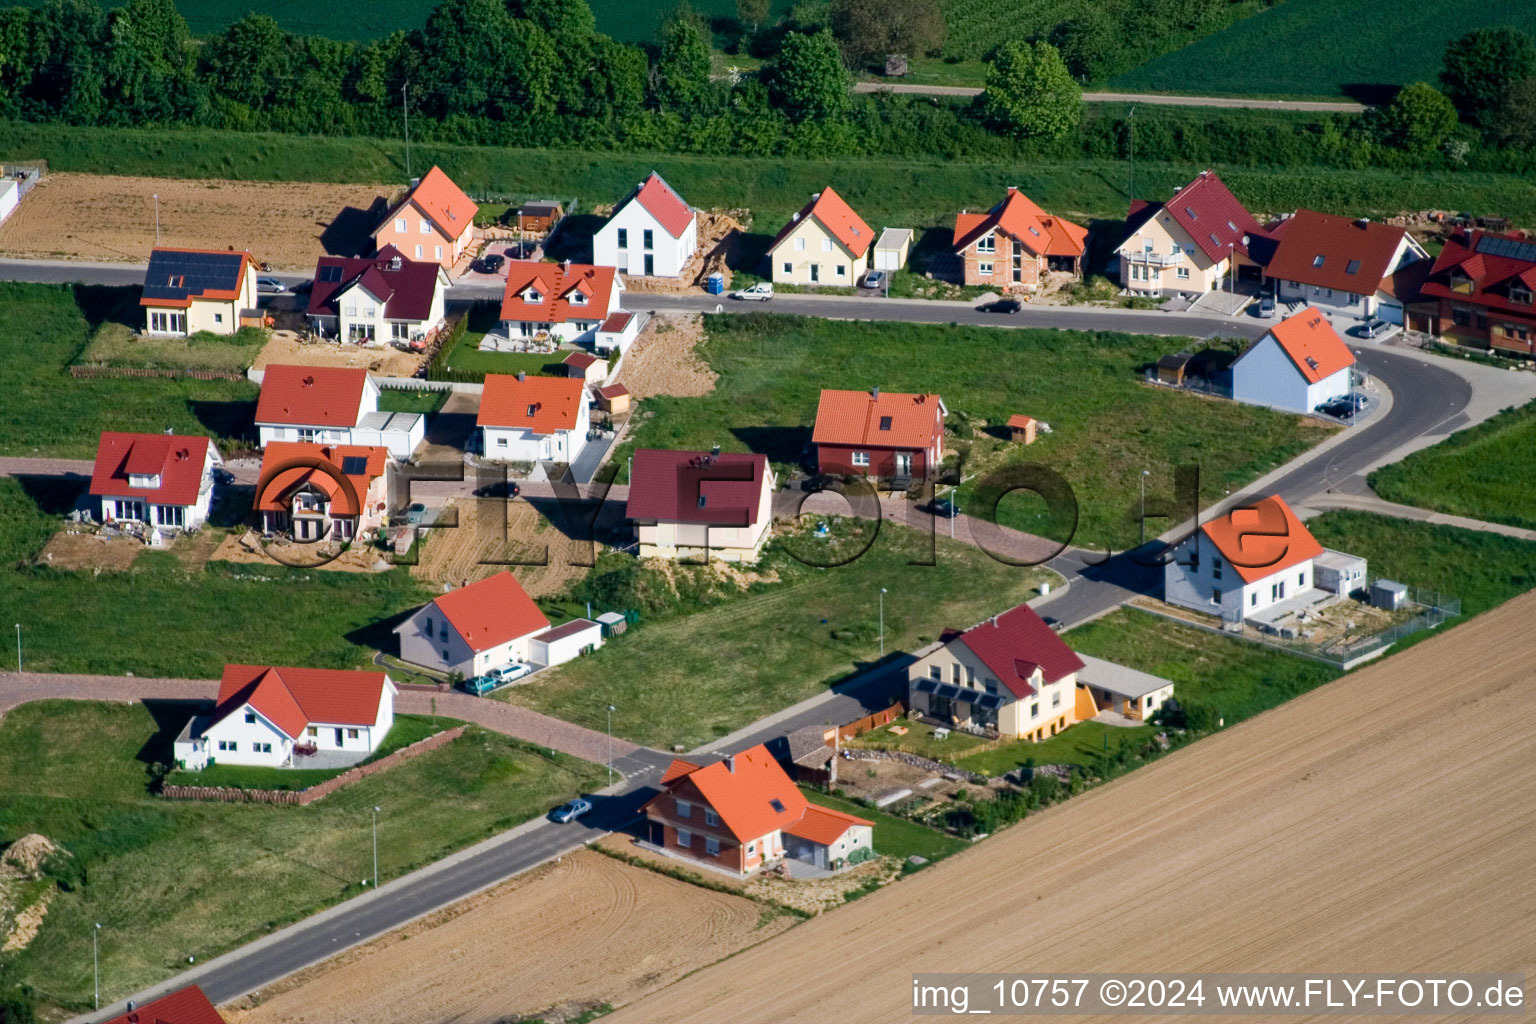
703, 672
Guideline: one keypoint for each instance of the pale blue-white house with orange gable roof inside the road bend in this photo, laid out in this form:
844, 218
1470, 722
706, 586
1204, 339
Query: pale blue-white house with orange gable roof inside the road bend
1297, 365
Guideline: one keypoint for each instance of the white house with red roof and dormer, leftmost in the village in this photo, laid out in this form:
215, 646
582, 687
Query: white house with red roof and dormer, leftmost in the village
164, 481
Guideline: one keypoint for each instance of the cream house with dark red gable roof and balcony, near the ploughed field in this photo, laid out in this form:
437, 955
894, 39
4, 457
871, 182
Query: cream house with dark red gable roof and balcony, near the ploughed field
1010, 676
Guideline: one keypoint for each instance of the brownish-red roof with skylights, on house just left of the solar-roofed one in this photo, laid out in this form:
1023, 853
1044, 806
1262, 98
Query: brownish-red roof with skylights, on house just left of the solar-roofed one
1336, 253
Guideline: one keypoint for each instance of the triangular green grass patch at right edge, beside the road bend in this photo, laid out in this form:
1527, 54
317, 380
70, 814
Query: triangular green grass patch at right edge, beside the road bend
1485, 472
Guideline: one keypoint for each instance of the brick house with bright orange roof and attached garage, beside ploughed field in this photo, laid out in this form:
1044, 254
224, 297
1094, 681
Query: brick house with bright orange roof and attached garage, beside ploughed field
744, 813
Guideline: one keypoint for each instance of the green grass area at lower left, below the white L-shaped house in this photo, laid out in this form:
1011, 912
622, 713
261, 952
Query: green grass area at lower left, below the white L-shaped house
170, 880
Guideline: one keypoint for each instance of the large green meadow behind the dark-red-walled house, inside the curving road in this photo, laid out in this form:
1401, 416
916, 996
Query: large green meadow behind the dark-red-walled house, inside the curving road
1107, 424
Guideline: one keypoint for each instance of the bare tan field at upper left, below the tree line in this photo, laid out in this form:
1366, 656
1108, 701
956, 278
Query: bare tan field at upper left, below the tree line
110, 219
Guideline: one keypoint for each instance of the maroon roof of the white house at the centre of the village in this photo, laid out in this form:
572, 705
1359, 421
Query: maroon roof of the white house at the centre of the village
697, 487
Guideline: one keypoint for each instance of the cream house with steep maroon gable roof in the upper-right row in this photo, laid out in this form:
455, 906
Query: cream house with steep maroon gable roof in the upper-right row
1193, 243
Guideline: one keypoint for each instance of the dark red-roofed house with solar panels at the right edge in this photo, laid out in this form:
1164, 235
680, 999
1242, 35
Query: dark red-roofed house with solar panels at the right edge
1483, 285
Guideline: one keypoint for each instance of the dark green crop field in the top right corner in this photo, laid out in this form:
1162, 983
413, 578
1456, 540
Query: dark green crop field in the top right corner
1326, 48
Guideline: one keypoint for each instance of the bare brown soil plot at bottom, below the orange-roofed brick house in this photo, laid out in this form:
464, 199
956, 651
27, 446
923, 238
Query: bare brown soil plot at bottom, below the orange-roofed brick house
572, 936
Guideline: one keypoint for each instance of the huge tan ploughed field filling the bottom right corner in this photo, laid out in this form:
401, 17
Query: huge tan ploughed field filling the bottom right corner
1380, 824
